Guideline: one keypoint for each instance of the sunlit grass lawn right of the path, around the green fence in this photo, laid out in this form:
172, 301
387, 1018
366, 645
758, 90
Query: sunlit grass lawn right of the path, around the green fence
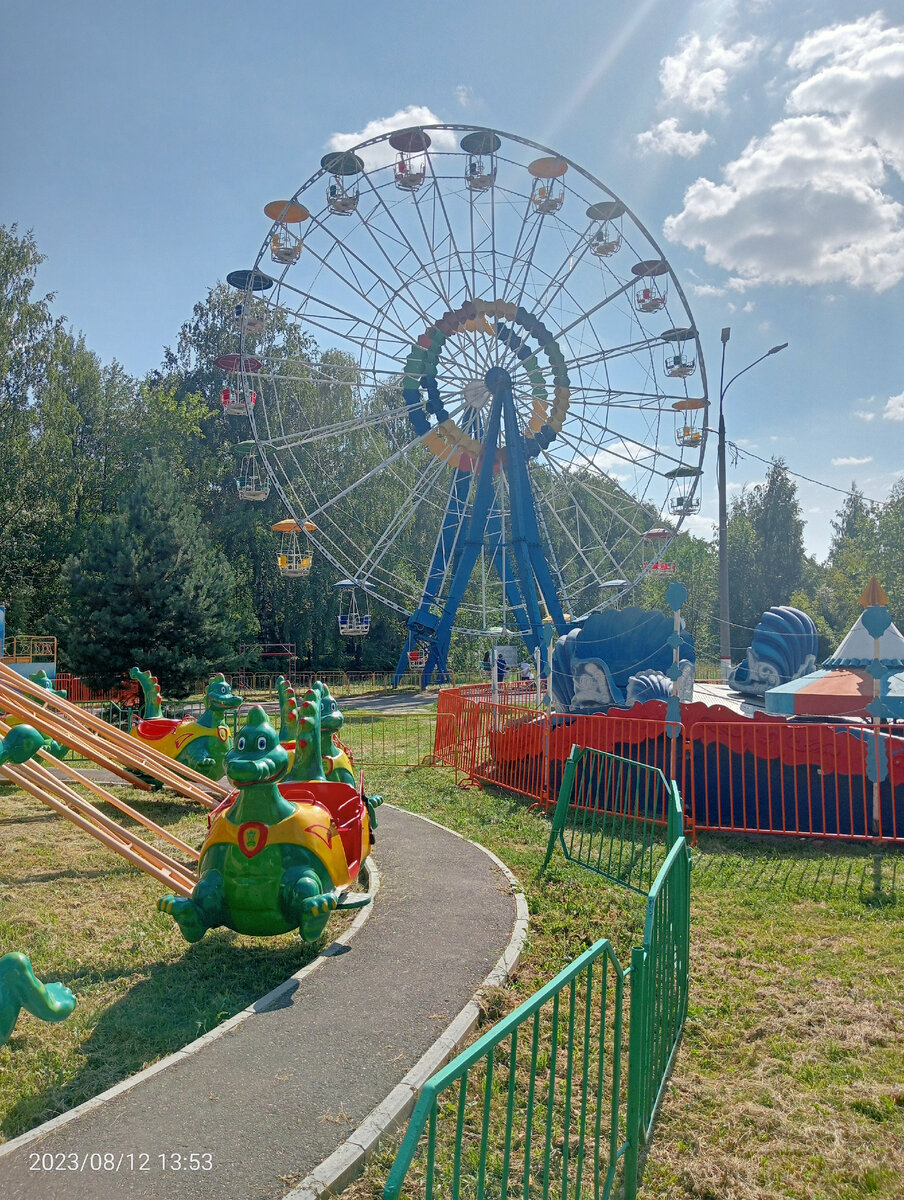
791, 1078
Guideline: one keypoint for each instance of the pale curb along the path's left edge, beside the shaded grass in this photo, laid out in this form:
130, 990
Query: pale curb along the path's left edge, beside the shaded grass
271, 1000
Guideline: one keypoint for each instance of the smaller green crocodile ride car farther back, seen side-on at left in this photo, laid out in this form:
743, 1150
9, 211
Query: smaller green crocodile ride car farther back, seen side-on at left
202, 743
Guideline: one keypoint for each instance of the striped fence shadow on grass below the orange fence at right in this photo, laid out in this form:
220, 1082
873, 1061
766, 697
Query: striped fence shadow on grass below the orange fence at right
809, 869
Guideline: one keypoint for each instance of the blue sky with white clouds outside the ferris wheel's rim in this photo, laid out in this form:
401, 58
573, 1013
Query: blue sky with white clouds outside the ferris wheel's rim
762, 143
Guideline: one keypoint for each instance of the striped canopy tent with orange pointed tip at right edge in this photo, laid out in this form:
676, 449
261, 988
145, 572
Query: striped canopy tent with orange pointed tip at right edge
846, 688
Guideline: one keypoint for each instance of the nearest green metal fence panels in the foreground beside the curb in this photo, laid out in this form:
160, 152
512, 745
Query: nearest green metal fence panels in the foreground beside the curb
559, 1096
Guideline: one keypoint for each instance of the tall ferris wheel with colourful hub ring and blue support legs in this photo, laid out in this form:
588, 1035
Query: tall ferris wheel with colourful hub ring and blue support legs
507, 393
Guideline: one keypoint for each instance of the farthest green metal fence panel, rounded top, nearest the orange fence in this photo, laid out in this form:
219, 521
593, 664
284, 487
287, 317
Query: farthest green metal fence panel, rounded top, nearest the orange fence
615, 817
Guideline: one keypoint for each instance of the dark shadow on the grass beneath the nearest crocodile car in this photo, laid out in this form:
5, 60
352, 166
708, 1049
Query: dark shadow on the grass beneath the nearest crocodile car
172, 1006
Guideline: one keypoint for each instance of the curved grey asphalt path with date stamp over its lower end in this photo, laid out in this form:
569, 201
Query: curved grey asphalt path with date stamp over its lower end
271, 1100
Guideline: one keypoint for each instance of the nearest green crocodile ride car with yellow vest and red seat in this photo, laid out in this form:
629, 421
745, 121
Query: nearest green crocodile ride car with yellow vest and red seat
283, 855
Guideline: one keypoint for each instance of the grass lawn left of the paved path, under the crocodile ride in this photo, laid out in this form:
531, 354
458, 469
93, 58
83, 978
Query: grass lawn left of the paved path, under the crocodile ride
88, 919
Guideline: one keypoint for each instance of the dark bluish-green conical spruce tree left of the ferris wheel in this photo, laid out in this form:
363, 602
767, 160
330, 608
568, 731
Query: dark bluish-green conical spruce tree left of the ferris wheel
151, 590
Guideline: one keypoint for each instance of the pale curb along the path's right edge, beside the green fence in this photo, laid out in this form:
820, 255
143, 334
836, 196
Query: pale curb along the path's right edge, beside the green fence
346, 1163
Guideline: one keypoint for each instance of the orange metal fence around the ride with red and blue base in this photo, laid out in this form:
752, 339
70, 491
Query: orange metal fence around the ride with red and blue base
735, 776
